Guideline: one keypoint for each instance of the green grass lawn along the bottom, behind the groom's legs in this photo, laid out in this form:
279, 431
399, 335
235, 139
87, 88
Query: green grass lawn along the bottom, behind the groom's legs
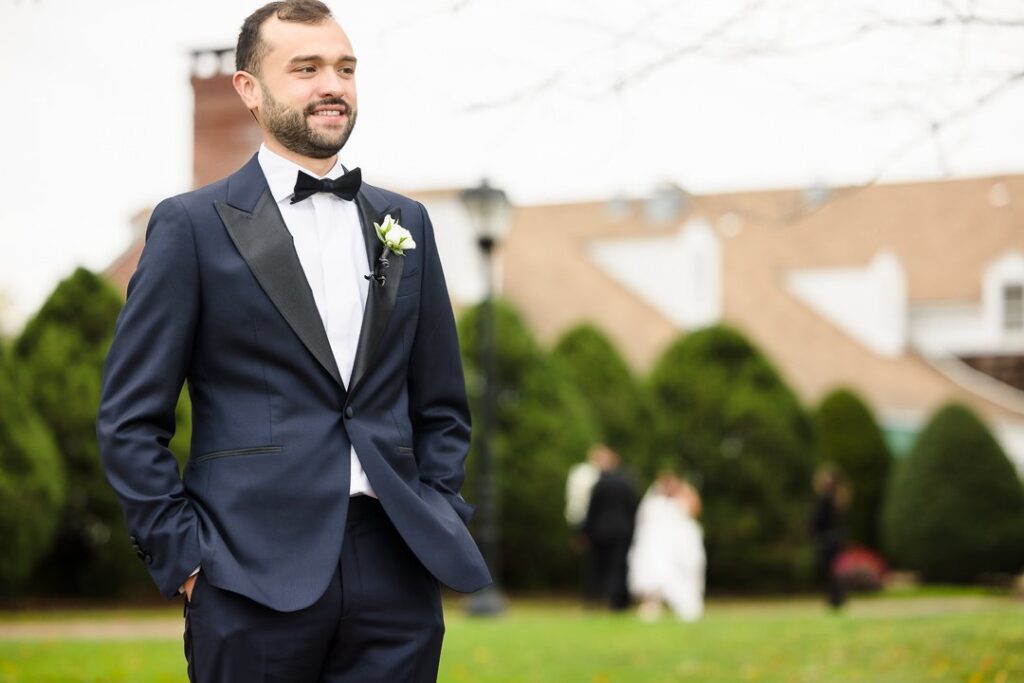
966, 638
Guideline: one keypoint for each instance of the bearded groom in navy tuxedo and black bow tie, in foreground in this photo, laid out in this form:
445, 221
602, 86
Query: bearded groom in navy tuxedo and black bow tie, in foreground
320, 510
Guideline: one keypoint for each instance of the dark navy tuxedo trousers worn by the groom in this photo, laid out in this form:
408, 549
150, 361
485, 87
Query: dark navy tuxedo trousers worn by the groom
379, 621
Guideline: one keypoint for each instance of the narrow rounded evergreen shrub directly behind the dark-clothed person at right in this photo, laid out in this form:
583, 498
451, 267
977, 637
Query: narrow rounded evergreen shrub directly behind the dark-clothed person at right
849, 437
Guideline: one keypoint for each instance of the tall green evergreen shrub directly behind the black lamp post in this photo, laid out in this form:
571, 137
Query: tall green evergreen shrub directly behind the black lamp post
543, 428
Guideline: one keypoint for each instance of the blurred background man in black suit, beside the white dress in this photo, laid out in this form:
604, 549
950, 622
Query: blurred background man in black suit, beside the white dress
609, 527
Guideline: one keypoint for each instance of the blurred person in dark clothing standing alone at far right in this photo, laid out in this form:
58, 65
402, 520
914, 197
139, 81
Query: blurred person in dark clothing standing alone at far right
832, 497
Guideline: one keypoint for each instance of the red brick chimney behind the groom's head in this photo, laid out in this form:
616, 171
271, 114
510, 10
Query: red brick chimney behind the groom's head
226, 135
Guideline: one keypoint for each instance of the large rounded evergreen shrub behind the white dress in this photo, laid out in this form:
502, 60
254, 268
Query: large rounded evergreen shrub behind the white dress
730, 422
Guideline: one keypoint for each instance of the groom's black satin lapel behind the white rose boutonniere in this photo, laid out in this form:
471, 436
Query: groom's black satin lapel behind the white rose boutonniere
380, 301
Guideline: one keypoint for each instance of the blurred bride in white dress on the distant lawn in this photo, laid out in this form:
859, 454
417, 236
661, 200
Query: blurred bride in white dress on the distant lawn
667, 560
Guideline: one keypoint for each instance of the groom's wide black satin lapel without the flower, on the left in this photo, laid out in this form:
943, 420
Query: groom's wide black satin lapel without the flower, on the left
268, 248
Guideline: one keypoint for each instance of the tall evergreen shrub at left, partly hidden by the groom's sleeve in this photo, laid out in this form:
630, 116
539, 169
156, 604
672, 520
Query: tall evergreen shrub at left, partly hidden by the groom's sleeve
63, 350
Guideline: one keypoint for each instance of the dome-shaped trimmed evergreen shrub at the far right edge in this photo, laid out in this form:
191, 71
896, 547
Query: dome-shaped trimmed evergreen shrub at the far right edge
955, 509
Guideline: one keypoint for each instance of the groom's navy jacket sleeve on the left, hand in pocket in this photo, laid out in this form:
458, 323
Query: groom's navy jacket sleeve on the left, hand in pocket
145, 371
